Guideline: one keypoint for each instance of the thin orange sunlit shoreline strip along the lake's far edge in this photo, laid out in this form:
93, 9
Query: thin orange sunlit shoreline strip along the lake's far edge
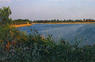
23, 25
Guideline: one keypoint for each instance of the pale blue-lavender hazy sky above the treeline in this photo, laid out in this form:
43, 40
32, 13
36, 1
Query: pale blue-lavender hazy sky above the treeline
50, 9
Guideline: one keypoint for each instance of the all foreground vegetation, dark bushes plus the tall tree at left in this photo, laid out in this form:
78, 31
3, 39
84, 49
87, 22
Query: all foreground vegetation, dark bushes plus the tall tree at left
16, 46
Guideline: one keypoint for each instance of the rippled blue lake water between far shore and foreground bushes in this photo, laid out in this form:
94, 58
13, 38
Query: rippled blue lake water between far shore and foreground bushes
85, 33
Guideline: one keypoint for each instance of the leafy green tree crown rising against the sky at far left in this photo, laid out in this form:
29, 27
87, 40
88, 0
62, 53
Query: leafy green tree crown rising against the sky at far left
5, 12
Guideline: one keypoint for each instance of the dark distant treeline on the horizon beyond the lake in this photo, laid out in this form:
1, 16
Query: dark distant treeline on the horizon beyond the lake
25, 21
